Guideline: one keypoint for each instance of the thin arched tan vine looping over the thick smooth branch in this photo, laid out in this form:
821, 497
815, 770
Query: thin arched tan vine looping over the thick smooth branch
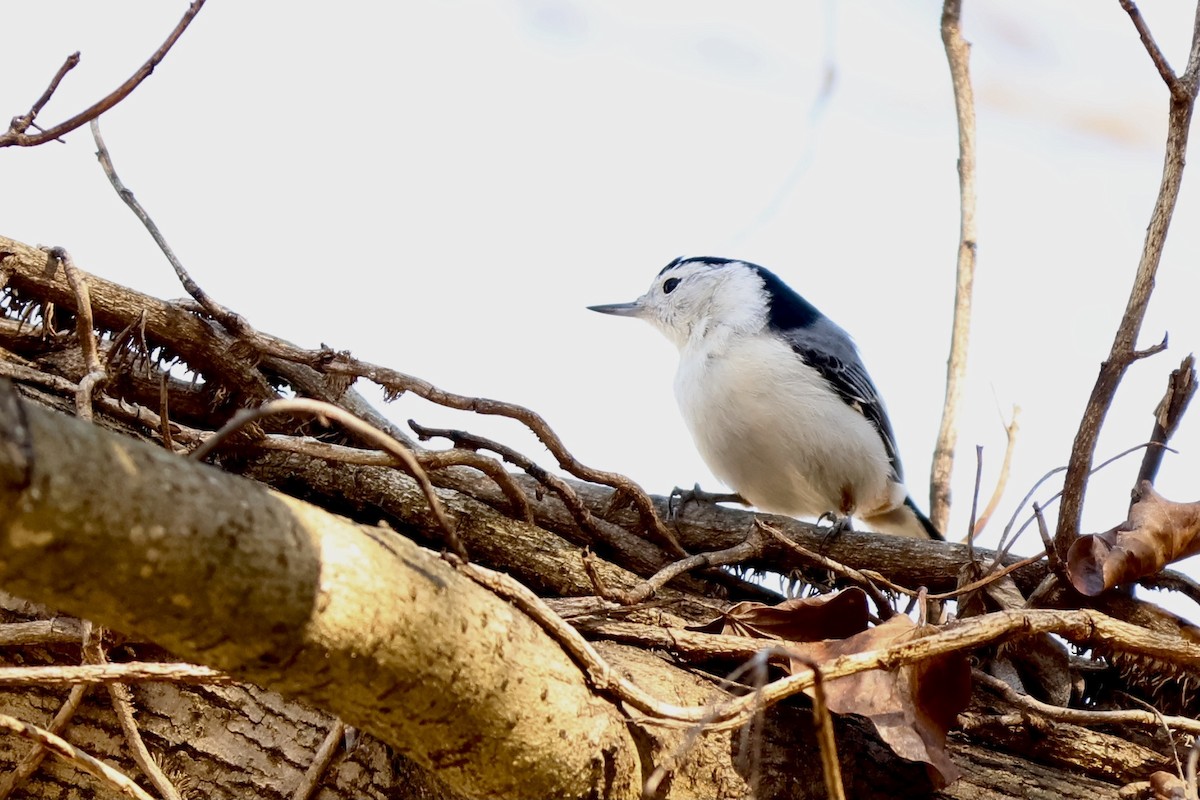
355, 425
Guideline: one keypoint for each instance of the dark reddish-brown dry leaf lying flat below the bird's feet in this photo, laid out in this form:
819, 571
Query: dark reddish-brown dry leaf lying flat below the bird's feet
832, 616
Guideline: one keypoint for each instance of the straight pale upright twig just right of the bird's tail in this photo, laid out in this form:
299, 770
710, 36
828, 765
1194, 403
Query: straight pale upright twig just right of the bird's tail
958, 53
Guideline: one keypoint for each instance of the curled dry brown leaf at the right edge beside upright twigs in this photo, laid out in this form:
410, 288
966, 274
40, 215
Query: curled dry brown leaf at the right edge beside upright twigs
1157, 533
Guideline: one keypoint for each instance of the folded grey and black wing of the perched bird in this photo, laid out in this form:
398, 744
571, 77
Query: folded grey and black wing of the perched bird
836, 359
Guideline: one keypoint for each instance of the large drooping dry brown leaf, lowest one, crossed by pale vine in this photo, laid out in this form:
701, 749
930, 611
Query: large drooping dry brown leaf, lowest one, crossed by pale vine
913, 708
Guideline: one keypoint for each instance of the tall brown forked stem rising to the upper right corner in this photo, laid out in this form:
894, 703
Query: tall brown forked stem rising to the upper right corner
1124, 345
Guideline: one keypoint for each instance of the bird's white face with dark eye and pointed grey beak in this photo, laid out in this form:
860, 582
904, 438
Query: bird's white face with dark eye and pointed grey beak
688, 299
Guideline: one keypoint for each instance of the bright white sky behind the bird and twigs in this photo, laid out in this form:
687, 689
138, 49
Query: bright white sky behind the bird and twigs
442, 188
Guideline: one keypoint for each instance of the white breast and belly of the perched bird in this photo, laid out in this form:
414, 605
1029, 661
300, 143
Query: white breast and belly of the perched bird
772, 429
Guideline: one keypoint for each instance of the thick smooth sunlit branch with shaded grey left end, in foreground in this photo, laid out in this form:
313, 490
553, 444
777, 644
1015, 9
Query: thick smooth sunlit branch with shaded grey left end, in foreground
369, 627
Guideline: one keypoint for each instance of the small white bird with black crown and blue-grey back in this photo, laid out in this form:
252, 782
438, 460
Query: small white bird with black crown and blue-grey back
777, 398
